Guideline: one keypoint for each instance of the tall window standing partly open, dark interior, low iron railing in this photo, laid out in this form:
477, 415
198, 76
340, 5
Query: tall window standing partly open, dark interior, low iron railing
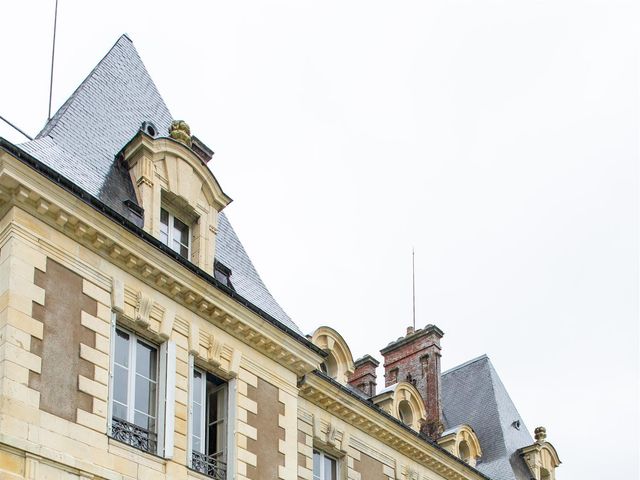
208, 424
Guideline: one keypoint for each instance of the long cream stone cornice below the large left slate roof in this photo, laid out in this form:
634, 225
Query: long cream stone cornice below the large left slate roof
22, 186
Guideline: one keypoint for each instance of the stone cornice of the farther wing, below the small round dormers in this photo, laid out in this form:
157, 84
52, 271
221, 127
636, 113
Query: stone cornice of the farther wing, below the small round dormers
339, 401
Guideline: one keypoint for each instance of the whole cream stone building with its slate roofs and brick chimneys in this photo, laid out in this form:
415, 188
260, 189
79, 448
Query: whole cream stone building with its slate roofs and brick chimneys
137, 341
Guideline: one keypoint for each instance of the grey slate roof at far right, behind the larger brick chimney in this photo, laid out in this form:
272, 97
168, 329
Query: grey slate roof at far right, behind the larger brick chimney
472, 393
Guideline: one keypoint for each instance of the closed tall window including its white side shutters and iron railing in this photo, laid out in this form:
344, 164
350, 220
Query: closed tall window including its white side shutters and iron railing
142, 392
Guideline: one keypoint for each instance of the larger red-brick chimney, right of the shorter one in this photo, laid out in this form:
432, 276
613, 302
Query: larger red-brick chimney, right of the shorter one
415, 358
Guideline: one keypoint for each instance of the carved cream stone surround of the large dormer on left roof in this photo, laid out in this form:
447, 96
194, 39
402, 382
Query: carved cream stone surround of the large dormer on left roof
168, 175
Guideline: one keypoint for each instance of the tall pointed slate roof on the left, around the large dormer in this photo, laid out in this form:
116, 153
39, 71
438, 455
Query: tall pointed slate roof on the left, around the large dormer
105, 112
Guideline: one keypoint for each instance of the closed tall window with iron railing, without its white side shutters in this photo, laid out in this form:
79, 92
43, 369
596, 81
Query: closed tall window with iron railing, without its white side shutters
135, 392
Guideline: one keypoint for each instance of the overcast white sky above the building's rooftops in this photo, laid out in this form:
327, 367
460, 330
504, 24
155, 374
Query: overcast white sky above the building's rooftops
498, 138
